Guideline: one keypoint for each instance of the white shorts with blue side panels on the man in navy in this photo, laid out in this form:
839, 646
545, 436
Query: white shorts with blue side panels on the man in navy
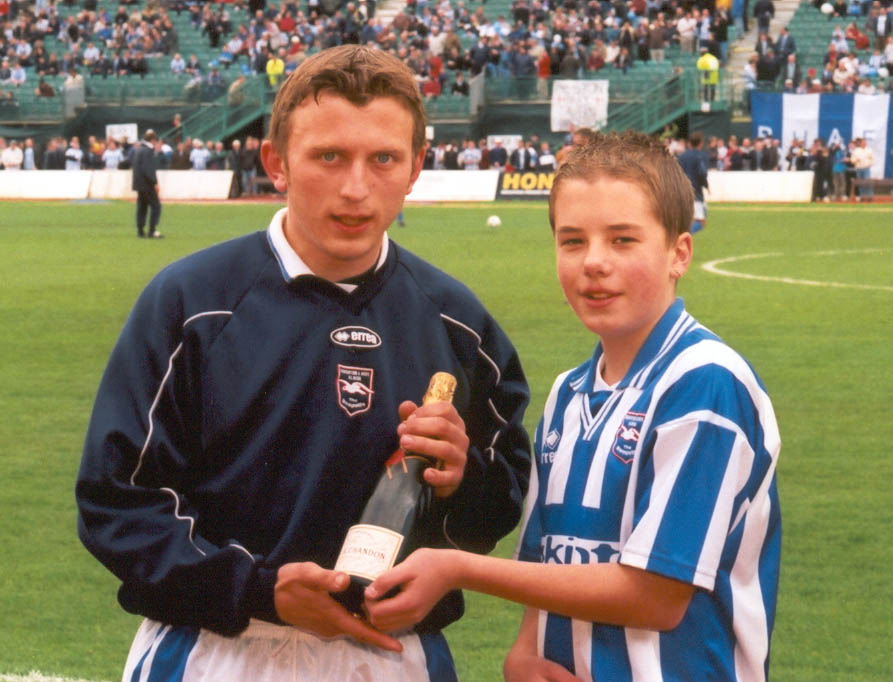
265, 652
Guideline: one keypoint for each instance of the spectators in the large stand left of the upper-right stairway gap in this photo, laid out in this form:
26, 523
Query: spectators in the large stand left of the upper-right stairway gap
438, 39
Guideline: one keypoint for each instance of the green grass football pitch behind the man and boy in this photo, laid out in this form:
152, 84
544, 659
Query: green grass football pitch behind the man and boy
814, 316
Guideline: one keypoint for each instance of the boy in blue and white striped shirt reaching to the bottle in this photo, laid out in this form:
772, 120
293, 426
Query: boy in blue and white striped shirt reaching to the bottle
650, 543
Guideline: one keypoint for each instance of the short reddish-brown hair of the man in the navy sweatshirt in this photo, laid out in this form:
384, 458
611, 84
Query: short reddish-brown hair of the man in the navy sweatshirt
355, 72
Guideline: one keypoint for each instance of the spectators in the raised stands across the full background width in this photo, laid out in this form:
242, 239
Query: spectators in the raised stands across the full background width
445, 42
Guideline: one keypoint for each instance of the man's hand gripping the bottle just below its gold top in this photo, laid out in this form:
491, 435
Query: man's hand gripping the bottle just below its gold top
436, 430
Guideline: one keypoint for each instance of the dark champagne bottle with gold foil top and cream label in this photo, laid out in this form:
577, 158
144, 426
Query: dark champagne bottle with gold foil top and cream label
401, 497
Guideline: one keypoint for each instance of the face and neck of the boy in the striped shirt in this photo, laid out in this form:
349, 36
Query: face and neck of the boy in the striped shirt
614, 263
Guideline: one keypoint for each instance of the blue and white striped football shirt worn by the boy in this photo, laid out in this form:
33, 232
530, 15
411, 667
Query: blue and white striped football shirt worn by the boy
671, 470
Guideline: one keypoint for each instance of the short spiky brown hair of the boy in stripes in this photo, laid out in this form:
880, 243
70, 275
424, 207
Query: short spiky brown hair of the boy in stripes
638, 158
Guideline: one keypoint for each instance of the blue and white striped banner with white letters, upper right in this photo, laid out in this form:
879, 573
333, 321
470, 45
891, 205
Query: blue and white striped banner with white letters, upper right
832, 117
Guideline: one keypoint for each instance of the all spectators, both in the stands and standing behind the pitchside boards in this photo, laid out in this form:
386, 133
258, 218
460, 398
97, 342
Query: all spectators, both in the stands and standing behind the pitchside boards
445, 43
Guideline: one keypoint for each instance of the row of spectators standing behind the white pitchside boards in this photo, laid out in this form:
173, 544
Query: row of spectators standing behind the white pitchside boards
835, 165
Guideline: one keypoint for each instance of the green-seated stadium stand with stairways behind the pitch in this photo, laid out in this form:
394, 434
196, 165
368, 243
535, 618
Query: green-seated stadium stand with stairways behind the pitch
481, 67
